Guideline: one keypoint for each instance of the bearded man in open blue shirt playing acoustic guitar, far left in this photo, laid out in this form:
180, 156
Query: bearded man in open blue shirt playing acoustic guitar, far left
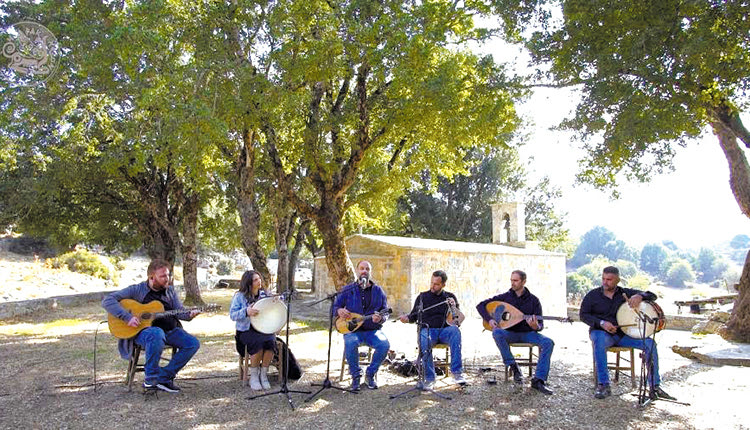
163, 331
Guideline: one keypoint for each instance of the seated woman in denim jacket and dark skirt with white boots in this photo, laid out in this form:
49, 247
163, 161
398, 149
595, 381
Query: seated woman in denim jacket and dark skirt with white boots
260, 346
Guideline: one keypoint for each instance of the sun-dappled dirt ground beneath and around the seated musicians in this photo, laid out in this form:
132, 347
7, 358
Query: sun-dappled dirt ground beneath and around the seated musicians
47, 363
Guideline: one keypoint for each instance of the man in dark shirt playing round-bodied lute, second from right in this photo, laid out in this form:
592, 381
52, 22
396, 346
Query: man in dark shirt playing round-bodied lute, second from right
526, 331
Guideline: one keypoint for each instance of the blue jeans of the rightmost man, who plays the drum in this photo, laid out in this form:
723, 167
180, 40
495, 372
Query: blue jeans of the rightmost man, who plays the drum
602, 340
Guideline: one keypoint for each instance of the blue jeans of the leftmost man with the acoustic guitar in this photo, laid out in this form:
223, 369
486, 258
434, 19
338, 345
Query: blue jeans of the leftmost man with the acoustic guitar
153, 340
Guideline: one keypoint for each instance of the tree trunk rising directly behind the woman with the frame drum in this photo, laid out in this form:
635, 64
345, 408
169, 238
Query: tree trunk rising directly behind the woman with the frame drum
248, 208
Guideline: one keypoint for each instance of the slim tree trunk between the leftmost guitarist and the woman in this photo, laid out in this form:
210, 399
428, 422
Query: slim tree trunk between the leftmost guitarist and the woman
189, 248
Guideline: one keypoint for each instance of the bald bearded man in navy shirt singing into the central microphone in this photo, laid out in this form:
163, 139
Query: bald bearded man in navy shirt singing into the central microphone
366, 298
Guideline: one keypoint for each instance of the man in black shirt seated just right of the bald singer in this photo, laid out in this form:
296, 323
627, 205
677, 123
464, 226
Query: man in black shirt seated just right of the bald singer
436, 328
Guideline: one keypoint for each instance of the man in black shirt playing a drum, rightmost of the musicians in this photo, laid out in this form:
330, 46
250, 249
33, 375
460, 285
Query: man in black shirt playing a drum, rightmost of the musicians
599, 310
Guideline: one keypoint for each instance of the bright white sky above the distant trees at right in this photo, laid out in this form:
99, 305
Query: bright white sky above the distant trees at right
692, 206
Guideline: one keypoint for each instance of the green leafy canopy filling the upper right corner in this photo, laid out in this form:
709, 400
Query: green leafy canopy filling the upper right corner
652, 74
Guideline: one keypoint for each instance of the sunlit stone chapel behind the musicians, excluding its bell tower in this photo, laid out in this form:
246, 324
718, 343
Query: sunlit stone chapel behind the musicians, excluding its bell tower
473, 274
